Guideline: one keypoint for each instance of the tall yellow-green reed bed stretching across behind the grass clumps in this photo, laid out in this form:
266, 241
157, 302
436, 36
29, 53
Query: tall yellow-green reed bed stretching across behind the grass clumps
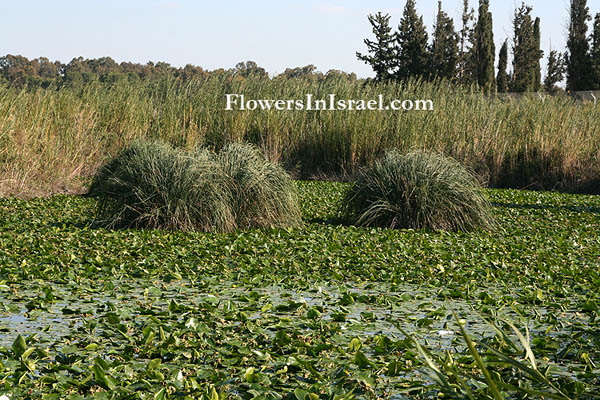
54, 140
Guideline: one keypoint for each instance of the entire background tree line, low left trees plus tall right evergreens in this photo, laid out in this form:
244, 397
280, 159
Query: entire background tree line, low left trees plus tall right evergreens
464, 54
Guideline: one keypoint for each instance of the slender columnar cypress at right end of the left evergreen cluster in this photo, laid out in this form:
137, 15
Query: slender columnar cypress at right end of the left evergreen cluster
484, 48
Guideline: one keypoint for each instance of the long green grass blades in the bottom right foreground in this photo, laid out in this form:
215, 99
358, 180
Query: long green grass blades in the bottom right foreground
503, 366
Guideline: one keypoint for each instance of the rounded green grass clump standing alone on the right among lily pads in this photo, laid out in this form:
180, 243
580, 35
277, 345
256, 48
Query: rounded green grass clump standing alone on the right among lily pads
418, 191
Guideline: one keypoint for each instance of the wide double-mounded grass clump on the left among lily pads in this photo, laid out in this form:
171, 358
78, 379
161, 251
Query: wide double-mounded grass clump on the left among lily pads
151, 185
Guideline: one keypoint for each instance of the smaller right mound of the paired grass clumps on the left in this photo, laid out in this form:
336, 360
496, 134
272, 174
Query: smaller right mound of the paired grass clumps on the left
262, 193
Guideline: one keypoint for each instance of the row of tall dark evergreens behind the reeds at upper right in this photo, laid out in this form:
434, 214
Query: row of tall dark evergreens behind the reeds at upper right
467, 54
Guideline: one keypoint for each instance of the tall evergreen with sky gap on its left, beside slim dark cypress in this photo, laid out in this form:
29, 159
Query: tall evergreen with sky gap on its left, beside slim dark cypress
525, 52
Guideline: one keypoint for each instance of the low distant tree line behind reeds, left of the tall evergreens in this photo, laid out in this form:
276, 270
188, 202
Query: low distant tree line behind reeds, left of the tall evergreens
40, 72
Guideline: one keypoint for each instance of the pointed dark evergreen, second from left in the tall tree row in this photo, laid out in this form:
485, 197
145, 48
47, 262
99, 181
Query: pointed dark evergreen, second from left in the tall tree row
412, 44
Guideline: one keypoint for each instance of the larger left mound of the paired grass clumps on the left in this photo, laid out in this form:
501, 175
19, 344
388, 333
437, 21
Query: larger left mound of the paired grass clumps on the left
151, 185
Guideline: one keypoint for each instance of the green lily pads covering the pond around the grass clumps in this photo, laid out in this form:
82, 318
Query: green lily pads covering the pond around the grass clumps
324, 311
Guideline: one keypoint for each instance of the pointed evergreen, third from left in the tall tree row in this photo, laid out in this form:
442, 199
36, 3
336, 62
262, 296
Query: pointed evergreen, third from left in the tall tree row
444, 49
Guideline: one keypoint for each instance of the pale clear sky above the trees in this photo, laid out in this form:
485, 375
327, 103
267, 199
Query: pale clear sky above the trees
219, 34
